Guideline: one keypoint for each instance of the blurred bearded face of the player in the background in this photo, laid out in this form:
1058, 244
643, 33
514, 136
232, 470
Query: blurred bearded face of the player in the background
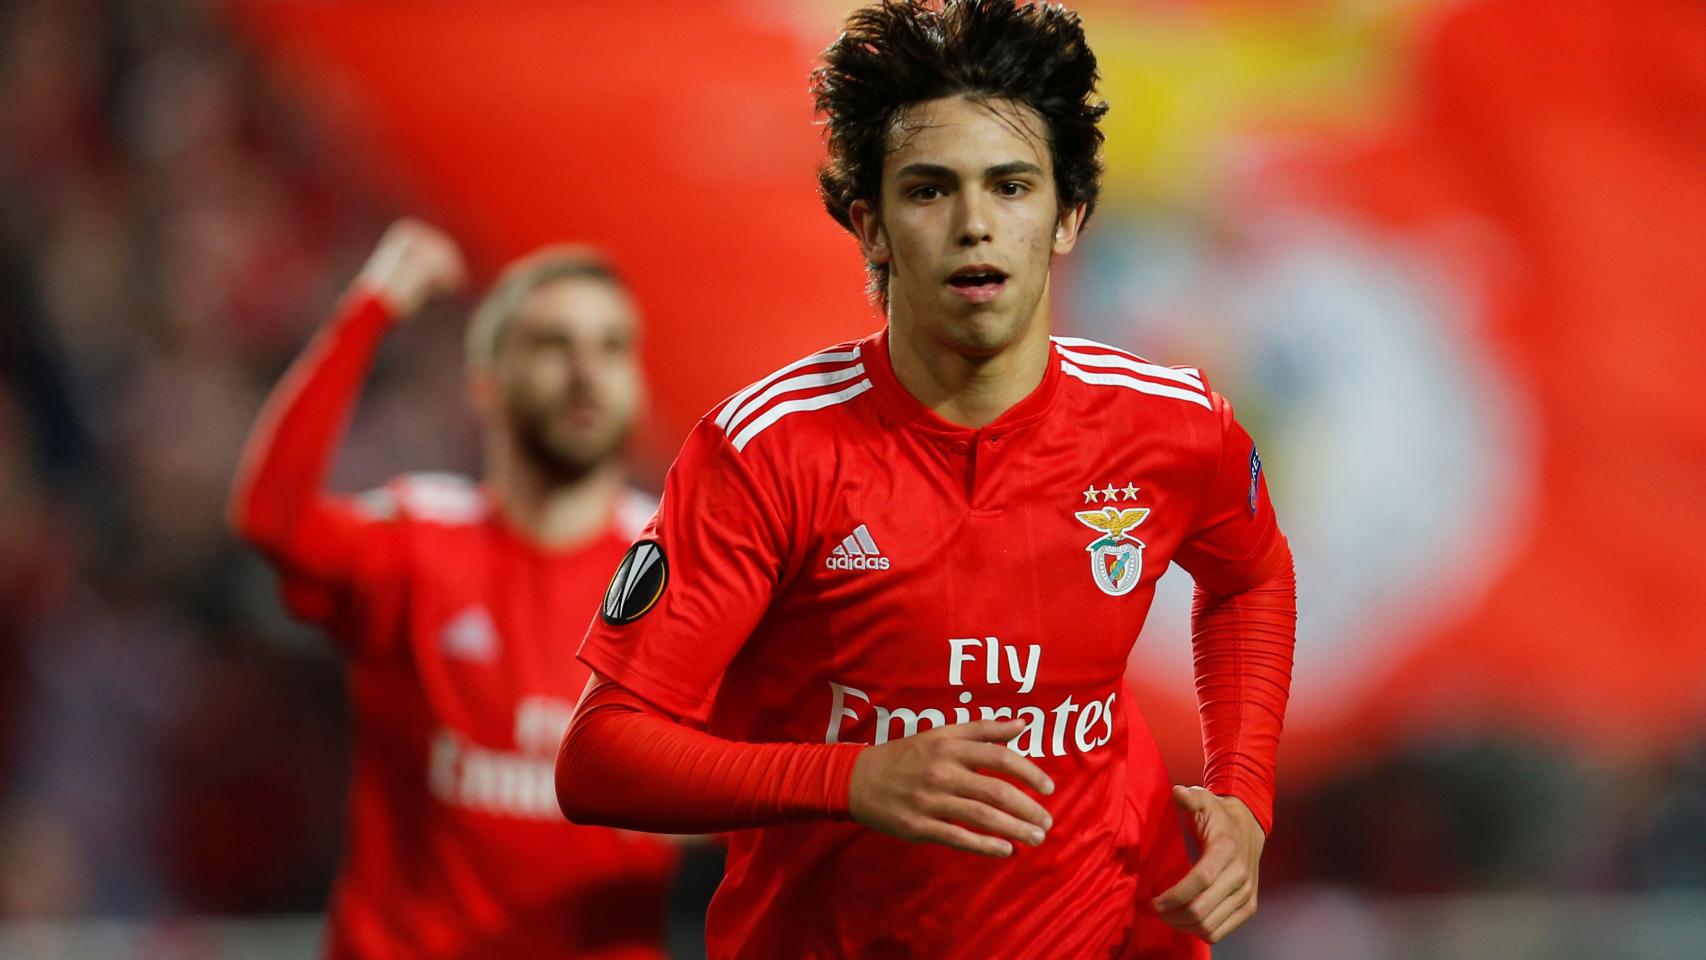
567, 374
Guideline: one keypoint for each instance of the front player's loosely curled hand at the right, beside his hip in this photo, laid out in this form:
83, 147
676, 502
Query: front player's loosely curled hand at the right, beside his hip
1221, 891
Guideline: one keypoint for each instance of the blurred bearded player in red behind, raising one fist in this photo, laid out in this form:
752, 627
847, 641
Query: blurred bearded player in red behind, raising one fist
460, 608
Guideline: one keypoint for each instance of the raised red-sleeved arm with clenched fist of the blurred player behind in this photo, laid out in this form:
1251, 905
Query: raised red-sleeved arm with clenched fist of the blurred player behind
279, 502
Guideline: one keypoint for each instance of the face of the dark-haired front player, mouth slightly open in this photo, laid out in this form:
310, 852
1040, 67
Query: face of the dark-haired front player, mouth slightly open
968, 224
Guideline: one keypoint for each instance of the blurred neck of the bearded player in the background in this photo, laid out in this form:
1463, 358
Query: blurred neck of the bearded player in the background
547, 511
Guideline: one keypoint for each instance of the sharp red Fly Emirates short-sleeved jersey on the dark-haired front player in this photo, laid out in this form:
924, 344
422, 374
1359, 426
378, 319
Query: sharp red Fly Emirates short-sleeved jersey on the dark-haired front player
837, 564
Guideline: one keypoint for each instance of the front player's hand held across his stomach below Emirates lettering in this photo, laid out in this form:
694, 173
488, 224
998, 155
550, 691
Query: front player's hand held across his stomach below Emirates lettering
931, 789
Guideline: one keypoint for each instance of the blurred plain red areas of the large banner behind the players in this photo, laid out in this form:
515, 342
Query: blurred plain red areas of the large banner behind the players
680, 137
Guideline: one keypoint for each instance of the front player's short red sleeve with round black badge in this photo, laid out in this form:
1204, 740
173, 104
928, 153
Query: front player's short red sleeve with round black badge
695, 584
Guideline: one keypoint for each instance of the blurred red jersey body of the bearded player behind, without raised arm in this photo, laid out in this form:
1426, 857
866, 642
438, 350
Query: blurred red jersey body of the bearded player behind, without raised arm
460, 639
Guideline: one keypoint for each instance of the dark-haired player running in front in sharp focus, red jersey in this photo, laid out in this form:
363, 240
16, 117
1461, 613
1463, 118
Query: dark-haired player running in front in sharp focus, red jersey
898, 581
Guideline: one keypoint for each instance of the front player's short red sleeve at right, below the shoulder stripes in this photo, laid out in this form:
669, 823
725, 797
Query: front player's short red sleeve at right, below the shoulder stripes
1234, 541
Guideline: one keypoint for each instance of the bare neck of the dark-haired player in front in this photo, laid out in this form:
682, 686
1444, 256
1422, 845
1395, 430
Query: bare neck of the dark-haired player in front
970, 391
